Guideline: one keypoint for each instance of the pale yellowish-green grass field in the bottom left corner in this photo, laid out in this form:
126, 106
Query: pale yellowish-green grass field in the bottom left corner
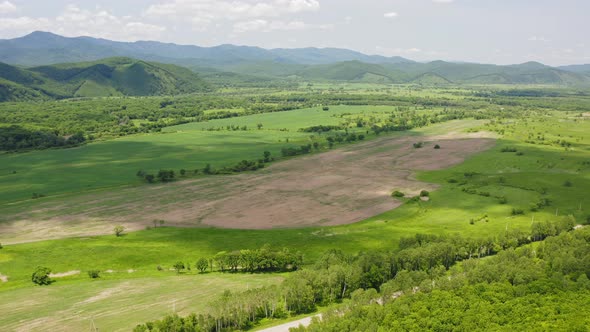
117, 305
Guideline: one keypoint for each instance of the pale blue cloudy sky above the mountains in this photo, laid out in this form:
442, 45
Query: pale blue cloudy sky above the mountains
553, 32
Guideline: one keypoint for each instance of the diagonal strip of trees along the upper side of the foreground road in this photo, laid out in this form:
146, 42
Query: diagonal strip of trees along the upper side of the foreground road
337, 275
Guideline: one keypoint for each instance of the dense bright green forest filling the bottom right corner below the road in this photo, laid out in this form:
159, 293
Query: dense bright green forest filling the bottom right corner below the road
529, 288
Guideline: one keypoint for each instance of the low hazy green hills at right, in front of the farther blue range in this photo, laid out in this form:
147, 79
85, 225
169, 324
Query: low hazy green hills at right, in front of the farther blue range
437, 72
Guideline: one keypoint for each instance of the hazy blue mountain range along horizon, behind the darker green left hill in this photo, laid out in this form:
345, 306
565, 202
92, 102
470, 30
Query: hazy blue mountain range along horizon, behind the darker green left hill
252, 64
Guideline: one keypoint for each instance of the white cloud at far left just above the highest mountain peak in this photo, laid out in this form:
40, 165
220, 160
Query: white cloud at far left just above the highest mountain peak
75, 21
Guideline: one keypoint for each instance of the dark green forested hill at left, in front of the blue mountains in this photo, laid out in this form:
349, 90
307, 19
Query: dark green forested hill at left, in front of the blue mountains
108, 77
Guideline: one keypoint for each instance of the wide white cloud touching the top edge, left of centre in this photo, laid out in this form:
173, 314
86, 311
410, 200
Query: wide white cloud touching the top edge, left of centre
202, 13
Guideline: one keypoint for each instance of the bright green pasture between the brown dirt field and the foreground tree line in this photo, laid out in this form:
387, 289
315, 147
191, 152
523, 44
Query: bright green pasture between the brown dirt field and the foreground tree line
521, 179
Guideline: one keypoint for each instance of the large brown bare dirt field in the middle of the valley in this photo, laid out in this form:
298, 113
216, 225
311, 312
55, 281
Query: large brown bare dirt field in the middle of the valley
337, 187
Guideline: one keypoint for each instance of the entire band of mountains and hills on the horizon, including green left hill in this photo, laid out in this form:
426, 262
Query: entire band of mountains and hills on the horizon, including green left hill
109, 68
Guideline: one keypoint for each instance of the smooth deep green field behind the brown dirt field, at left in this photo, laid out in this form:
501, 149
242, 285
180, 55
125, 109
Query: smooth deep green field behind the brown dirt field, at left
114, 163
